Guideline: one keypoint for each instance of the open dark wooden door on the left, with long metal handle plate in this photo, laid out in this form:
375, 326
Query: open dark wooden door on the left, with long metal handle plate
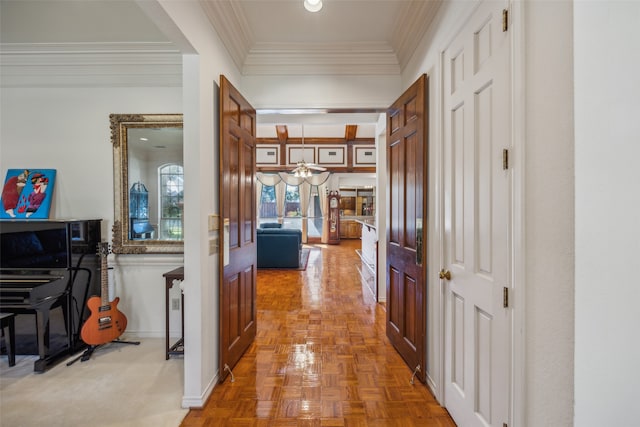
238, 239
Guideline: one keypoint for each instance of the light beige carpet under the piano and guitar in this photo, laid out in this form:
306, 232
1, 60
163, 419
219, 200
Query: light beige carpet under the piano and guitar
121, 385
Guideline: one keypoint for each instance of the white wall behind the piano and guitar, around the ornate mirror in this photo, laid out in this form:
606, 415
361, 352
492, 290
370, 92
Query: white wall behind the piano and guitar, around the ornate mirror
68, 129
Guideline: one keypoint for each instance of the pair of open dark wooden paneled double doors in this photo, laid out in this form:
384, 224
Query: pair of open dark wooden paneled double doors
406, 241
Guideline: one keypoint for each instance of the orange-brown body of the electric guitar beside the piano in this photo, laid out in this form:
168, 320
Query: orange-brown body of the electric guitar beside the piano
105, 324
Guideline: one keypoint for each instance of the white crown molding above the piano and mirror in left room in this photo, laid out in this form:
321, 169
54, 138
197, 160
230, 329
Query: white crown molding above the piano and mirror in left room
90, 65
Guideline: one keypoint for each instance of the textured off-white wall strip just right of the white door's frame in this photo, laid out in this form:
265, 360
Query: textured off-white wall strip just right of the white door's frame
549, 211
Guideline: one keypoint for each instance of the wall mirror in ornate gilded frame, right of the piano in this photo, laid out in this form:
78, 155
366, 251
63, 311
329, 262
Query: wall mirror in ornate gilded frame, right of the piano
148, 183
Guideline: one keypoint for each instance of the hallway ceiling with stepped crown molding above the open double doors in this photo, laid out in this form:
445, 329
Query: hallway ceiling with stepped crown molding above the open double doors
345, 37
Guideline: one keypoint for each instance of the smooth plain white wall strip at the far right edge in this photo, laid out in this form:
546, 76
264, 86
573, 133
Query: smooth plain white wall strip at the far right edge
607, 149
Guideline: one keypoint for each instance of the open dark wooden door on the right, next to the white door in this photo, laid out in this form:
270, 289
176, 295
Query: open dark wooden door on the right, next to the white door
406, 225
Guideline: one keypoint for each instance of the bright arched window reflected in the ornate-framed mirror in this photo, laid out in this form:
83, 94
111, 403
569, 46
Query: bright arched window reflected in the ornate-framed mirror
171, 202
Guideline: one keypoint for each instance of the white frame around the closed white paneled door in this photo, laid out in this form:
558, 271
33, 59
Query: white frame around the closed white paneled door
517, 161
